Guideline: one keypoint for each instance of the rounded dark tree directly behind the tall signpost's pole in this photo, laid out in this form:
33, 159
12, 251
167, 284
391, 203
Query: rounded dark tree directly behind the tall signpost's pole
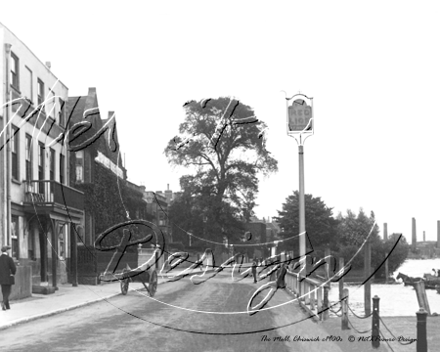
320, 224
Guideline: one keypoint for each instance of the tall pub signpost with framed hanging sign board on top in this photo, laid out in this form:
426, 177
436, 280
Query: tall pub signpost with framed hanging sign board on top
300, 125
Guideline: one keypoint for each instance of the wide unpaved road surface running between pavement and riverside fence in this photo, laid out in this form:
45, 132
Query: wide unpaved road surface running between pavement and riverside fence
182, 317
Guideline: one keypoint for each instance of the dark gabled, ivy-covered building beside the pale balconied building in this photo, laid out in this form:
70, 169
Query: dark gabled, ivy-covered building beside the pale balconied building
110, 199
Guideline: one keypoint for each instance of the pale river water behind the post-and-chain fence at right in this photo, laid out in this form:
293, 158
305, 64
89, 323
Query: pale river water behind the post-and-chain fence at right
395, 300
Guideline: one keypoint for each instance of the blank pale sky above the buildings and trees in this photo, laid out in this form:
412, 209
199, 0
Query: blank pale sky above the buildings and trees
372, 68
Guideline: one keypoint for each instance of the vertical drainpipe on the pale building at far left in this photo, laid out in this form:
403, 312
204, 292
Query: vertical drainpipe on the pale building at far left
6, 150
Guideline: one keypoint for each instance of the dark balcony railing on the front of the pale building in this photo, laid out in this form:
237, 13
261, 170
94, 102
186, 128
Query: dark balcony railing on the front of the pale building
49, 193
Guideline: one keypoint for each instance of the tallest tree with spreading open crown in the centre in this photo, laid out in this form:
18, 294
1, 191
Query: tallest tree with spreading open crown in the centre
222, 142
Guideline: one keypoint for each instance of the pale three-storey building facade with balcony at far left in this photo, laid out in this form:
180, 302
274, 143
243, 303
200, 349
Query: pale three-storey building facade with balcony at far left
40, 210
